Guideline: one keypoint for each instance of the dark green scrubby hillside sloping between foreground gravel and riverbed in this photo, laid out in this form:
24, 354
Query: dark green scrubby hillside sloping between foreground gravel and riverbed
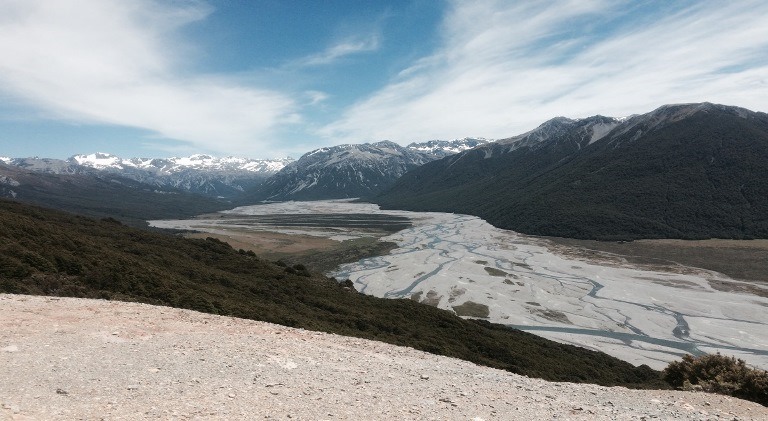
51, 253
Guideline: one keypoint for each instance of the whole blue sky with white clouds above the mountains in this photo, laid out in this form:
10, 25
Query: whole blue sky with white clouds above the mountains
273, 78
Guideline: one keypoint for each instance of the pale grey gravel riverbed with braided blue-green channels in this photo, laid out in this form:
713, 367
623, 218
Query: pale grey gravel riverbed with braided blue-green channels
644, 315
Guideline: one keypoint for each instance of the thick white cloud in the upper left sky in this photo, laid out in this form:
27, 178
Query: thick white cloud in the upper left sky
120, 62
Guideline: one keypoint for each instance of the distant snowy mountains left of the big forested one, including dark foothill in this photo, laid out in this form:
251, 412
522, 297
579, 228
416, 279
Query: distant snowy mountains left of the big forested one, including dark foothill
135, 189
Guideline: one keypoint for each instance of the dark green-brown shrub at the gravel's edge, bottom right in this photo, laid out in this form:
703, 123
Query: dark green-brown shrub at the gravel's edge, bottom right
719, 374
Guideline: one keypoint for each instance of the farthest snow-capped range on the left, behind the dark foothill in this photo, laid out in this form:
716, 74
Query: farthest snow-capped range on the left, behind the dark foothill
218, 177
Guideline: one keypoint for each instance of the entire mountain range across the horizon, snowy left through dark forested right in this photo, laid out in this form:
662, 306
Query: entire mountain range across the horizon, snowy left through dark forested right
681, 171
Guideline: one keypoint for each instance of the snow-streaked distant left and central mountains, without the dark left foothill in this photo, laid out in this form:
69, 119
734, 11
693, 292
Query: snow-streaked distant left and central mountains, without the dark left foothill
336, 172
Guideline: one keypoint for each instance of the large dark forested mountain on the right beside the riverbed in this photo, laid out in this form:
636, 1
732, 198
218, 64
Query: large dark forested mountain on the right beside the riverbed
681, 171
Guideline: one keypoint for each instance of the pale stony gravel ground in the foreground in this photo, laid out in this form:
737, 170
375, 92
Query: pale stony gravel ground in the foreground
71, 359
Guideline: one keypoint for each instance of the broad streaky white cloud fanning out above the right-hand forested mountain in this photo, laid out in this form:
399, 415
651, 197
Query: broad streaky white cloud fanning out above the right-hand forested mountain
505, 67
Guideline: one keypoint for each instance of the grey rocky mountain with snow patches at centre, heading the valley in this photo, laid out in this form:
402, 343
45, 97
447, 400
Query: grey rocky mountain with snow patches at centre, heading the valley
358, 170
